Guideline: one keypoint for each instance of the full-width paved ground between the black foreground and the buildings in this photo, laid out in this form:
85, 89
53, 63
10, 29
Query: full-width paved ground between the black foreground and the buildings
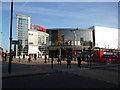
38, 67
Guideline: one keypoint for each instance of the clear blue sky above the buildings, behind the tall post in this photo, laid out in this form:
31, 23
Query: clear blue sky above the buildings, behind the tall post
60, 15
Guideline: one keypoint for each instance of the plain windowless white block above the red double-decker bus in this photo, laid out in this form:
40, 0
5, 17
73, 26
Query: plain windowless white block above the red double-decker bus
105, 37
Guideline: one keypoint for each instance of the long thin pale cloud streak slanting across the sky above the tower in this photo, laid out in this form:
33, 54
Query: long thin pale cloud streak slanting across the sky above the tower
46, 11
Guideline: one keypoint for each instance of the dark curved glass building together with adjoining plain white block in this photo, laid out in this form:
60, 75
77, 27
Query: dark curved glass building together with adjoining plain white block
70, 41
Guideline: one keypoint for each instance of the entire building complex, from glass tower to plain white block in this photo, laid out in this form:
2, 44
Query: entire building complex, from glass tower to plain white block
34, 39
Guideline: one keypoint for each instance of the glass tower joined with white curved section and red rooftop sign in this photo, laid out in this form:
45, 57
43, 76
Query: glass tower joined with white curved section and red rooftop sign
32, 39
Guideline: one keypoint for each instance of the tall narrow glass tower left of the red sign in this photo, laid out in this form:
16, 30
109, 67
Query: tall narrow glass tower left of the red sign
23, 24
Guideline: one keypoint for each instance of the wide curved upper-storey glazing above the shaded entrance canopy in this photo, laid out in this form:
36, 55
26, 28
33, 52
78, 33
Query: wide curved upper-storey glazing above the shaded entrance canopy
70, 37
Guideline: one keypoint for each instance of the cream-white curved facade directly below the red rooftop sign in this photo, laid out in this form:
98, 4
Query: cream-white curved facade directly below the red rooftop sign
37, 42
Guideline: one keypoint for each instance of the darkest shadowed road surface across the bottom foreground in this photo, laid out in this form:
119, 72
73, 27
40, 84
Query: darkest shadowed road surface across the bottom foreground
57, 80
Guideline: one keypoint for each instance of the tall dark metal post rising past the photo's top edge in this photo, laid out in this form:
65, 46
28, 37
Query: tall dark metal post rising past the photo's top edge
10, 58
